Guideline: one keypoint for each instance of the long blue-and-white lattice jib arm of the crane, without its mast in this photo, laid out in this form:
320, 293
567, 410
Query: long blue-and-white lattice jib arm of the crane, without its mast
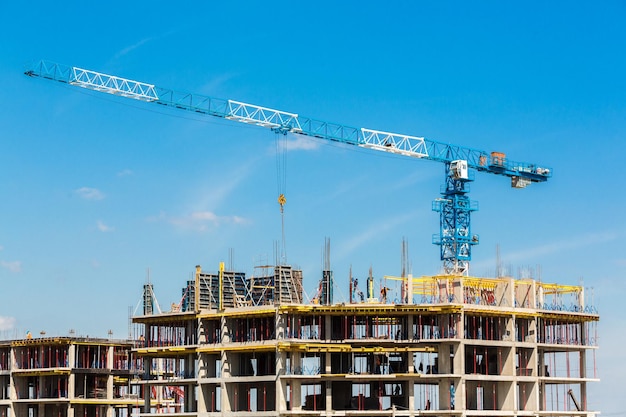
286, 122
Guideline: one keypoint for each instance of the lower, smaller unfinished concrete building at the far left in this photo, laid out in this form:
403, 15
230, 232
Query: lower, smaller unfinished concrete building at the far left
68, 376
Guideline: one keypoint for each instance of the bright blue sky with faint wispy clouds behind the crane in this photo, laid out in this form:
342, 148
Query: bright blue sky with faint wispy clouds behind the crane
99, 190
